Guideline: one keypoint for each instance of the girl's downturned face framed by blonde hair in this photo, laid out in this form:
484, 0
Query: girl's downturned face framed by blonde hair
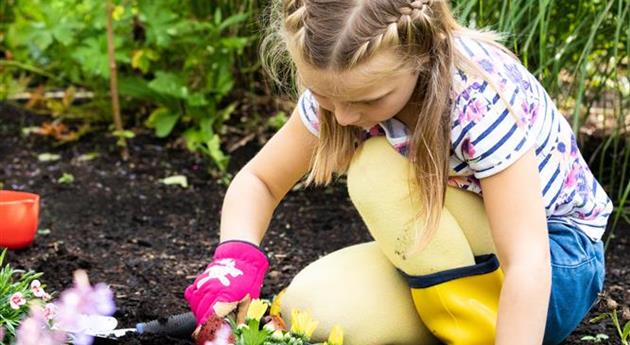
372, 92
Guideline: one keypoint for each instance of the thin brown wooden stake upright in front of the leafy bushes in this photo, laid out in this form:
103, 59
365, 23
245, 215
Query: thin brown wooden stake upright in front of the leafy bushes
113, 80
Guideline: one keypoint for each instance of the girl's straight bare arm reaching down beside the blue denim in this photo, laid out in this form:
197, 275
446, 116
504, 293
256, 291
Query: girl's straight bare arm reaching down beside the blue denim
516, 212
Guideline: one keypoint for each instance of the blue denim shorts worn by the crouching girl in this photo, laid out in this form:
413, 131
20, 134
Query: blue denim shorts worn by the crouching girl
577, 276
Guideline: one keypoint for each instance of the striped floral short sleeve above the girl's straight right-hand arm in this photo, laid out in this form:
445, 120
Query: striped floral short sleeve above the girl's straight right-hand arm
486, 134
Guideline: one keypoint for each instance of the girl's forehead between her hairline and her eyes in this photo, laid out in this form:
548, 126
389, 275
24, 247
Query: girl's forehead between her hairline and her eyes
370, 78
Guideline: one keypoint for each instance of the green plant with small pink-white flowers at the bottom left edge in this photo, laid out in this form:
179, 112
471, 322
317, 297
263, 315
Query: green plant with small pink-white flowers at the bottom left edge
18, 289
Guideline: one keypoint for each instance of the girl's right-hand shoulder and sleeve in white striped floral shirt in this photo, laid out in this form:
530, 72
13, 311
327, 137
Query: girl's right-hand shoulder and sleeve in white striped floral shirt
495, 107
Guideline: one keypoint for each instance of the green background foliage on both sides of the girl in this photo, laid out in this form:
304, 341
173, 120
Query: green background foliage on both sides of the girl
181, 61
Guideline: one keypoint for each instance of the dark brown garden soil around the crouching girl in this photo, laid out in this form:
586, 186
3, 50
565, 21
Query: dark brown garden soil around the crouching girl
148, 240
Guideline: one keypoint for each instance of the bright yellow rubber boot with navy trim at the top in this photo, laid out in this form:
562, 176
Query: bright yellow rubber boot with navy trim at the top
459, 306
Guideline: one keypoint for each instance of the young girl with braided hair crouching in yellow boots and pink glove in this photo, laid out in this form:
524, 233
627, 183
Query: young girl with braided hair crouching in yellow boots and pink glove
465, 173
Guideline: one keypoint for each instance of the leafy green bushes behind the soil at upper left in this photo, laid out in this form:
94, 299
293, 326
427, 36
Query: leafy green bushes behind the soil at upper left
176, 57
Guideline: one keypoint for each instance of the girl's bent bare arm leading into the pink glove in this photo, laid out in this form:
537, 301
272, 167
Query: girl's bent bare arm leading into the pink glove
260, 186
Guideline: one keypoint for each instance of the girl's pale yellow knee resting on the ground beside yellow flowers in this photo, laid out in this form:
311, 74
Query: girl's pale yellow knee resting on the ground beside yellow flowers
358, 289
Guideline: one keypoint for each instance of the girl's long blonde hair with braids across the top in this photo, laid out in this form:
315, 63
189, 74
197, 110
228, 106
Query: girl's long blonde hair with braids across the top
337, 35
